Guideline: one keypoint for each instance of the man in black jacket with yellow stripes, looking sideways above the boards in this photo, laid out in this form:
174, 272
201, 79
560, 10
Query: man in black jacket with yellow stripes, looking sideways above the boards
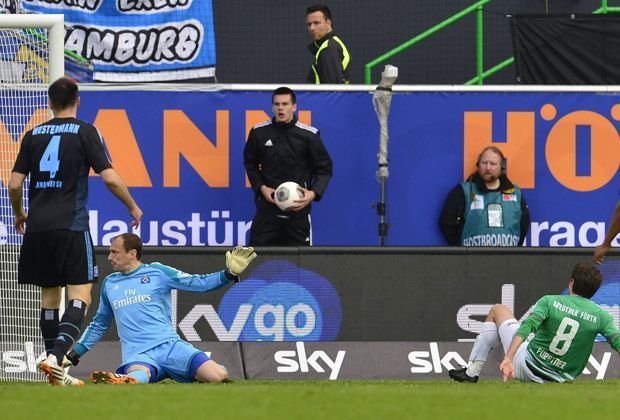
331, 57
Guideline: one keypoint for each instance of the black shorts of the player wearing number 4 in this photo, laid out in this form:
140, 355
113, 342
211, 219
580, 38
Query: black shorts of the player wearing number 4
57, 258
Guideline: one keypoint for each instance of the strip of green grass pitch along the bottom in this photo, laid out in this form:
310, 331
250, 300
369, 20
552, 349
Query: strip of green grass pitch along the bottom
313, 400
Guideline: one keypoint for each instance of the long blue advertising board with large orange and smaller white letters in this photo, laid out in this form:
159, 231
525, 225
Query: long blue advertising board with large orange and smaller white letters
181, 154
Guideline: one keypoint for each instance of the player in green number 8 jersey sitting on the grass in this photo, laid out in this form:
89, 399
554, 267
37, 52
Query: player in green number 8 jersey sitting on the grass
565, 327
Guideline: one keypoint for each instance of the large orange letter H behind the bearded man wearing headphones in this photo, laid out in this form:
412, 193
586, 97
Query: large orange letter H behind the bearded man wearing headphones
518, 148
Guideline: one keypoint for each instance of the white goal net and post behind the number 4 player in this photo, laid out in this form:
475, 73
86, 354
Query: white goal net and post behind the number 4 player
29, 49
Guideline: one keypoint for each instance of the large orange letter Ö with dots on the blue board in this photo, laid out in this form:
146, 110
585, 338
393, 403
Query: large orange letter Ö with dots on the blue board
561, 150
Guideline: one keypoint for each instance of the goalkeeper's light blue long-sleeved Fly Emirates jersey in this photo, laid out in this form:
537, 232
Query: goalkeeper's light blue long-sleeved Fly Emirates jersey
140, 302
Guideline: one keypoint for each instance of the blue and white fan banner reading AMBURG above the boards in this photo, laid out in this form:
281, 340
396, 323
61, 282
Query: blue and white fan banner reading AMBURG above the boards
138, 40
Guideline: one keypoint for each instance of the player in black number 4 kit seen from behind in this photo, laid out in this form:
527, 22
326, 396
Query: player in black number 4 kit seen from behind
57, 249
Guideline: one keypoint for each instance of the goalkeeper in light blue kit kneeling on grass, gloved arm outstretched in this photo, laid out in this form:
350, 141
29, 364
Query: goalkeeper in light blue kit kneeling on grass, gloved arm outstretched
138, 297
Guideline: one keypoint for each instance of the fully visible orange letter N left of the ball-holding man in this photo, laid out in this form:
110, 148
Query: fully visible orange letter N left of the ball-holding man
183, 138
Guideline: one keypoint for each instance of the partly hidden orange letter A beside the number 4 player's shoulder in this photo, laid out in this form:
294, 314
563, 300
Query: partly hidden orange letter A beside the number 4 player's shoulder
121, 143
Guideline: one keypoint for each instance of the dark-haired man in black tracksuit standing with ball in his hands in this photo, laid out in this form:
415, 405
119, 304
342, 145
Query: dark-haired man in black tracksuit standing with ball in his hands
279, 150
